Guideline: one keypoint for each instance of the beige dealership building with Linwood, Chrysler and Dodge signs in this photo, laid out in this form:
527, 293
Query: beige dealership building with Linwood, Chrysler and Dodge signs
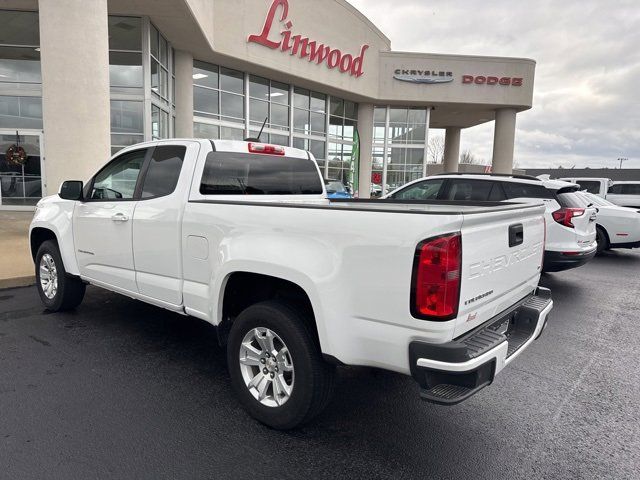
81, 79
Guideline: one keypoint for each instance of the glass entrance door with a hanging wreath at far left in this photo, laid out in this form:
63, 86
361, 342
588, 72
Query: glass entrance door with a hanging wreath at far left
21, 180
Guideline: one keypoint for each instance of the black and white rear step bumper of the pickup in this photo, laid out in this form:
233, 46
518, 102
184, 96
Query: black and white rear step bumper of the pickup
450, 373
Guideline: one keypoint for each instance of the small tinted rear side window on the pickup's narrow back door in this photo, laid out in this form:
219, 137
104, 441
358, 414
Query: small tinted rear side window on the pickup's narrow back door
164, 170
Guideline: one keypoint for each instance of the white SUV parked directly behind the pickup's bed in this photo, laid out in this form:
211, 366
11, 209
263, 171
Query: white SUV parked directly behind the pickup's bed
571, 219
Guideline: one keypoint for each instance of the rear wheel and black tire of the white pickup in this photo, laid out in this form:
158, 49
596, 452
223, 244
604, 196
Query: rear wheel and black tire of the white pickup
310, 379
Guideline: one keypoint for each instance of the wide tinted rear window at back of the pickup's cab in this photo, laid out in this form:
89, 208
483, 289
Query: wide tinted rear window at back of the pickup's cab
231, 173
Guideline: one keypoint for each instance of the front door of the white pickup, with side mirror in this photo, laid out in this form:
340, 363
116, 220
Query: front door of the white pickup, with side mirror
102, 224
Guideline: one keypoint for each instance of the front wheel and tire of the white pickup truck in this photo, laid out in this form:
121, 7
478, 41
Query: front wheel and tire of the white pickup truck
66, 292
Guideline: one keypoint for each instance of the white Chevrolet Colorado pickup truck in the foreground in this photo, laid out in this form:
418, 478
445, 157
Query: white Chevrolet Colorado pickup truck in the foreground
241, 235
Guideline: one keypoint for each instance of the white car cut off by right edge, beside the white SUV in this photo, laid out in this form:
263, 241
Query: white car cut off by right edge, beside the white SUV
617, 227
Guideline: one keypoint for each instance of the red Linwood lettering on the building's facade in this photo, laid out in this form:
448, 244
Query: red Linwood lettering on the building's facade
304, 47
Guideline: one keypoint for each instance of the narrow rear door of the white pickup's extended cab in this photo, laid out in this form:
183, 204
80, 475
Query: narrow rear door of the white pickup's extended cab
157, 221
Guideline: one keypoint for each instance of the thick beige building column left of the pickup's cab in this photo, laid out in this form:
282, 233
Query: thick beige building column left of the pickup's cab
74, 50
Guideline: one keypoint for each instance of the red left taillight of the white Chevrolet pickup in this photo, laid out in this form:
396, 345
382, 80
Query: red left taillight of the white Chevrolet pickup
435, 292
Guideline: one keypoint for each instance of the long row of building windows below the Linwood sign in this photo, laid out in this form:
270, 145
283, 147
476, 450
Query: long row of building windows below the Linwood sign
294, 116
